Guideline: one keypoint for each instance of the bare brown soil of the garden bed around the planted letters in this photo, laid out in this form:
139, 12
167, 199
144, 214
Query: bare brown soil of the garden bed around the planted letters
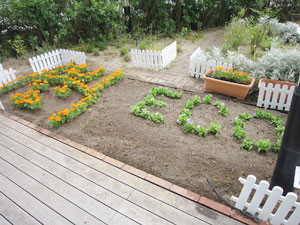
163, 149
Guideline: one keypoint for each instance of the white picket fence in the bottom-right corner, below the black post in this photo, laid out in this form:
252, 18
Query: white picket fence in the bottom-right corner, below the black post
287, 206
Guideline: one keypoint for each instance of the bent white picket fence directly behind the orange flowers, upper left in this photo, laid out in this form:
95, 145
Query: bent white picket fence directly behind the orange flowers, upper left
52, 59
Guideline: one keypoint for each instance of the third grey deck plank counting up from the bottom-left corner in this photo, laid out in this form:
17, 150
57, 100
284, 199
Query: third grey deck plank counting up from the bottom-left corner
36, 208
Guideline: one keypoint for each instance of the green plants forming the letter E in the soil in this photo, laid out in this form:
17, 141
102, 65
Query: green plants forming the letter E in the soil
140, 108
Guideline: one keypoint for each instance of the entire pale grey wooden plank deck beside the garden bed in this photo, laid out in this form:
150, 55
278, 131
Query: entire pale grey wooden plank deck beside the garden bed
43, 181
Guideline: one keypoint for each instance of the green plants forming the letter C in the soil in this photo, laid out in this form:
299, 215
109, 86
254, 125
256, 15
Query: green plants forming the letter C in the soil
185, 117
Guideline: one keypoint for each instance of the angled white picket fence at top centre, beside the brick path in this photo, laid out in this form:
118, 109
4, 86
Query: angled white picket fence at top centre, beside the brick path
154, 59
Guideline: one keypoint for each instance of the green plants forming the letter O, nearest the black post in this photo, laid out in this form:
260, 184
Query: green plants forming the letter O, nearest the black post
262, 144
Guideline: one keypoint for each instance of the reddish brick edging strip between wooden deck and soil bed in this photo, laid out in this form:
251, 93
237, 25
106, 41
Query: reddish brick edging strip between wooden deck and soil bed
139, 173
